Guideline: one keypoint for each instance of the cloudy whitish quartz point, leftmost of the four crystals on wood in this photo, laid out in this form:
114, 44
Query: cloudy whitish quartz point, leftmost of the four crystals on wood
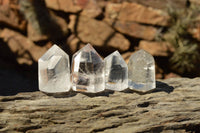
54, 71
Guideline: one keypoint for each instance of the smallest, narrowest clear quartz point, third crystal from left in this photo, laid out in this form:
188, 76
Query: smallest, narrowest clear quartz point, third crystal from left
116, 72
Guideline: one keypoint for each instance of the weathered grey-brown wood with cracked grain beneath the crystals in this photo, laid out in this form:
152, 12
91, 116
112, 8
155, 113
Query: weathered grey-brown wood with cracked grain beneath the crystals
173, 106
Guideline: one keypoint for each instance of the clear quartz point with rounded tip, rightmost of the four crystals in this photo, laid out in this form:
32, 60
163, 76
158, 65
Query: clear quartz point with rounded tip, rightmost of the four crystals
141, 71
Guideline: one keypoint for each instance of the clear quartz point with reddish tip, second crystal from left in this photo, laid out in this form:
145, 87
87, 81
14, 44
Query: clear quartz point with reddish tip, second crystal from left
87, 71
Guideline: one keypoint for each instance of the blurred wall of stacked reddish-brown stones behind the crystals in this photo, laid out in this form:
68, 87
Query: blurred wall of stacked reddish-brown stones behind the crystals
28, 29
